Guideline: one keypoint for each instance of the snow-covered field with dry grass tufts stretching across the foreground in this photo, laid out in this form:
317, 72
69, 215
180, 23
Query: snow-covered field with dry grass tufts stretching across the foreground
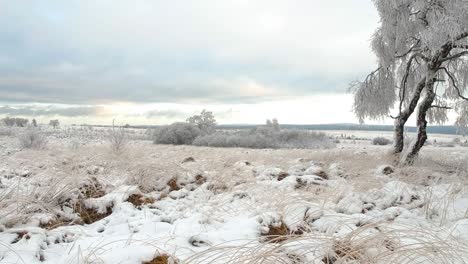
77, 202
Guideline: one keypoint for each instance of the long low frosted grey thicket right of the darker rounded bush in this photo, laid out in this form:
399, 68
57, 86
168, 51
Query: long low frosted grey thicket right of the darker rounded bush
264, 137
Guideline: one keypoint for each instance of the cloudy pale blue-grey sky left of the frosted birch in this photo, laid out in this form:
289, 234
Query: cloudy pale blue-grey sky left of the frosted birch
157, 61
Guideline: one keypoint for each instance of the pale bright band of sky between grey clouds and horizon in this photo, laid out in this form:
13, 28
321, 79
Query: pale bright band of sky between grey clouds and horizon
307, 110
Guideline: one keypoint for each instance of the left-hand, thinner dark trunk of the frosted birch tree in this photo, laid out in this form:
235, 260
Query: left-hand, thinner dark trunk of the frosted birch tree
403, 117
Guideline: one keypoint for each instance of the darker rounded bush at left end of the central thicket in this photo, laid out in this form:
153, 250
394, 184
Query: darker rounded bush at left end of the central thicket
176, 134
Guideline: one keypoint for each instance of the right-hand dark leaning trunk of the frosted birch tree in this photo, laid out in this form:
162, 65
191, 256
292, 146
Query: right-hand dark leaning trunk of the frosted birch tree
421, 121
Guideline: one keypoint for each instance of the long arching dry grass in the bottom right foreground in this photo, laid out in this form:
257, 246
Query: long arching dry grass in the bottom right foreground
370, 244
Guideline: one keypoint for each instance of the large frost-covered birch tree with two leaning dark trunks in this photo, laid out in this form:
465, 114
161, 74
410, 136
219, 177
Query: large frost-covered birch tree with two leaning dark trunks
422, 48
